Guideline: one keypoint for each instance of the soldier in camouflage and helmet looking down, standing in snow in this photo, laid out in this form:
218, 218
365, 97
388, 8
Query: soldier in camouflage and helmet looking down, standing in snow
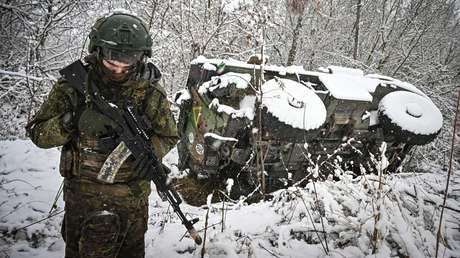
105, 220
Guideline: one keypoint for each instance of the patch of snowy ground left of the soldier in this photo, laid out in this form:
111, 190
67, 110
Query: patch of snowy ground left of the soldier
29, 182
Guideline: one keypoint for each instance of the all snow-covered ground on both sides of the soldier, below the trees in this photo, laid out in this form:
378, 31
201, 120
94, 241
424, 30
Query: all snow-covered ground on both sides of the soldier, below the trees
289, 225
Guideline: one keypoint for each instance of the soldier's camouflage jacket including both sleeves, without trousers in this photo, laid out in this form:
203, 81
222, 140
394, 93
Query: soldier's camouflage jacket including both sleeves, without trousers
82, 156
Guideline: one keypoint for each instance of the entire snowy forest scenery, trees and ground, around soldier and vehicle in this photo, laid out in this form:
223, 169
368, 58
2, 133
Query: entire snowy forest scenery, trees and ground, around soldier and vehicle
415, 41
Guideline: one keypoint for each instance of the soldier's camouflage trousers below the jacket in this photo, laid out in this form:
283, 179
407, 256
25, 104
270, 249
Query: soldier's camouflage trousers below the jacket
104, 220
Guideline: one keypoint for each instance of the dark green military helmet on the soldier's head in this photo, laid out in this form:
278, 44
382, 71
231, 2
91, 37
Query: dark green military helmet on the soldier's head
120, 32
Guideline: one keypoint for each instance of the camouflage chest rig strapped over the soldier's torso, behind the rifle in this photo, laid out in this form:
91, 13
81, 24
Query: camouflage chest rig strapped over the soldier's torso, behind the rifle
86, 153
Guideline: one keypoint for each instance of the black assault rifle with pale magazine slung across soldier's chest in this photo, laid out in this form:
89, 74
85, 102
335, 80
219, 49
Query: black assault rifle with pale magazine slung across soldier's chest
131, 133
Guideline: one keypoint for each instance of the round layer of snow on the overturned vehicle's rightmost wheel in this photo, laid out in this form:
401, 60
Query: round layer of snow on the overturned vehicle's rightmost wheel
412, 112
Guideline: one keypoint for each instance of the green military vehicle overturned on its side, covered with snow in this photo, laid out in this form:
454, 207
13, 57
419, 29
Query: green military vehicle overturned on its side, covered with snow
297, 120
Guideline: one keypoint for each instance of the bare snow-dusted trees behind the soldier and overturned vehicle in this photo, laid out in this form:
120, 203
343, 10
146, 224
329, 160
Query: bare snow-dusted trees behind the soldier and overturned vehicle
411, 40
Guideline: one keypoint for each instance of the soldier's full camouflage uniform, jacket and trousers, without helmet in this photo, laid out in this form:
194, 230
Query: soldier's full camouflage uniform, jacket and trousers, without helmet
100, 219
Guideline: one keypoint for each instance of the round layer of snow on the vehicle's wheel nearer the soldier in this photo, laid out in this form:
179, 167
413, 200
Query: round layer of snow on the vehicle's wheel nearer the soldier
293, 104
